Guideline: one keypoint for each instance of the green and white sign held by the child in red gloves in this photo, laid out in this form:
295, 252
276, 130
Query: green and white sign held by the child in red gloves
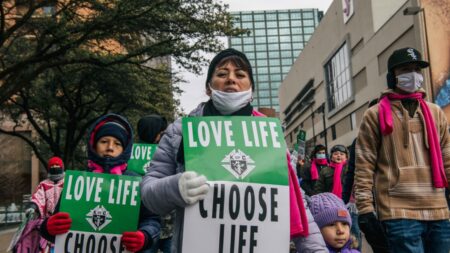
102, 207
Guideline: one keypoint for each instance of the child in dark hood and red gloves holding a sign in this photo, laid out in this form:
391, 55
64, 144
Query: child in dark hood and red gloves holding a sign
109, 148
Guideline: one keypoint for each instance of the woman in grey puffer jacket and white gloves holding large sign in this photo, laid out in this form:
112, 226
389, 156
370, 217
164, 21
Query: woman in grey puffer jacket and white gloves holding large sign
167, 186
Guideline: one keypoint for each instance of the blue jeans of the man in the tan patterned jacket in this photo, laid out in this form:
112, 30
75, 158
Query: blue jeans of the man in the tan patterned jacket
414, 236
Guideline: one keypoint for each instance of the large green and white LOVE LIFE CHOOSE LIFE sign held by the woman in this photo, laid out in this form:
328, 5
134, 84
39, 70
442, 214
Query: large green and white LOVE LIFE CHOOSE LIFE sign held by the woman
247, 207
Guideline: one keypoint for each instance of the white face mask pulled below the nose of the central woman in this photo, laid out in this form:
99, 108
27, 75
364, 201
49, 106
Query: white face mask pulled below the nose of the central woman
229, 102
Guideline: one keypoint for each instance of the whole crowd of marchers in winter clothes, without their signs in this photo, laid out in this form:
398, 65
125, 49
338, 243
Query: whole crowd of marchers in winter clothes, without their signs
390, 183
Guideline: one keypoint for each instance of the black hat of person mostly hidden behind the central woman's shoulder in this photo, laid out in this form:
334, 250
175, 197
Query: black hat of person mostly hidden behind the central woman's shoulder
149, 127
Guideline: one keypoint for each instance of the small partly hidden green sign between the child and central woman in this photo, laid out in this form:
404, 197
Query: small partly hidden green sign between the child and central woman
141, 155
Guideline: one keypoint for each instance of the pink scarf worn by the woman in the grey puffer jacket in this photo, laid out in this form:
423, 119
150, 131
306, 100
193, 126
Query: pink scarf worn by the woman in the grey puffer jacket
298, 220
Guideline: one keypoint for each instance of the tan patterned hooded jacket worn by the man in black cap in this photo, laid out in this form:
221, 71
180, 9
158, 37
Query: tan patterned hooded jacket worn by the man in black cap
398, 166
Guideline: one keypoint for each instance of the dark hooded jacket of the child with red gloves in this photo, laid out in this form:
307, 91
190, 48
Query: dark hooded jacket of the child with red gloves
149, 223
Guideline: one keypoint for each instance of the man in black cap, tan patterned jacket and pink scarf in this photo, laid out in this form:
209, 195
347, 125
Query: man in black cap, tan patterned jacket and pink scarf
403, 151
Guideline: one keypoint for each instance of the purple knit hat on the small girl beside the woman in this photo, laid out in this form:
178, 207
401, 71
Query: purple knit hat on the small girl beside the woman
327, 208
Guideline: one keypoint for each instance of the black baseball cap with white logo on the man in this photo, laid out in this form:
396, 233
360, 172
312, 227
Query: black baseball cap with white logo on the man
406, 55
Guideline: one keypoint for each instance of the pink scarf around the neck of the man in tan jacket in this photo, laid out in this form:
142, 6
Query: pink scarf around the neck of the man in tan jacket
386, 125
